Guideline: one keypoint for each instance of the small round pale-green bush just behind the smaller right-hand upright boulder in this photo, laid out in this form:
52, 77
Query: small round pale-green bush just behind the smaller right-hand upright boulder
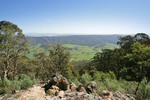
85, 78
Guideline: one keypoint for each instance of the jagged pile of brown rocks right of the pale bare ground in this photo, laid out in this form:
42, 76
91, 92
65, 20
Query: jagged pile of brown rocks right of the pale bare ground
58, 88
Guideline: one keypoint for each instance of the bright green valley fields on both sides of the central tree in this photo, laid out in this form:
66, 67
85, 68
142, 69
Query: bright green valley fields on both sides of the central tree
78, 52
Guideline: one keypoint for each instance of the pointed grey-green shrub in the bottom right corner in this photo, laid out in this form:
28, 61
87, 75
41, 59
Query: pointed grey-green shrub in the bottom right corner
143, 92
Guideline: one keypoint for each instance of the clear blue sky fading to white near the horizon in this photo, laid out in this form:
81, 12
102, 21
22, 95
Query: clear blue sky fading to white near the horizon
78, 16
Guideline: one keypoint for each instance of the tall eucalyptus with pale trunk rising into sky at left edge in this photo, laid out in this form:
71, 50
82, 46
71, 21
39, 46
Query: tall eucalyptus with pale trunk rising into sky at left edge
12, 43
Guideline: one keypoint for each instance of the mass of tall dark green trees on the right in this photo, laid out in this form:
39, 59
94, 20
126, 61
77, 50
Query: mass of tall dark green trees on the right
131, 61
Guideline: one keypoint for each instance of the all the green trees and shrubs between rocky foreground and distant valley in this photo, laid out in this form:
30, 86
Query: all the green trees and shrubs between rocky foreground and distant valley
124, 69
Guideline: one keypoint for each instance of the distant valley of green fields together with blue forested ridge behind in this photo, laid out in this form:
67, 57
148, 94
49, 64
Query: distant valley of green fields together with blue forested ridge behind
81, 47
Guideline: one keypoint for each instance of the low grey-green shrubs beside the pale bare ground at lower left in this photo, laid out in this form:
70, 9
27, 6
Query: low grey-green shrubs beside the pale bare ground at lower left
20, 82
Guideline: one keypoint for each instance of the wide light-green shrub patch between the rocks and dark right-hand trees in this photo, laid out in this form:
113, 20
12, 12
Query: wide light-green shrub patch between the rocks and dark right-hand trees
108, 81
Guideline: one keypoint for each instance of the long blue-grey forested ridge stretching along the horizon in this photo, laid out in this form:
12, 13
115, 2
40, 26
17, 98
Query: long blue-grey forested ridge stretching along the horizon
85, 40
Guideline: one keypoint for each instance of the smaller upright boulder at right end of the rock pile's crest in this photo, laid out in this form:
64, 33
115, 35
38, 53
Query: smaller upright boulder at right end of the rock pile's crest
91, 87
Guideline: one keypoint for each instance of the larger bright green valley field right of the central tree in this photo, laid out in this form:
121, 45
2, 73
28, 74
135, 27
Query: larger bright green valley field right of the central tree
79, 52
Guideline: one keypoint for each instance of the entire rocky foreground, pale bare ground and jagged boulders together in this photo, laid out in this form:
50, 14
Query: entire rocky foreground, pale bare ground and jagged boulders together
55, 91
